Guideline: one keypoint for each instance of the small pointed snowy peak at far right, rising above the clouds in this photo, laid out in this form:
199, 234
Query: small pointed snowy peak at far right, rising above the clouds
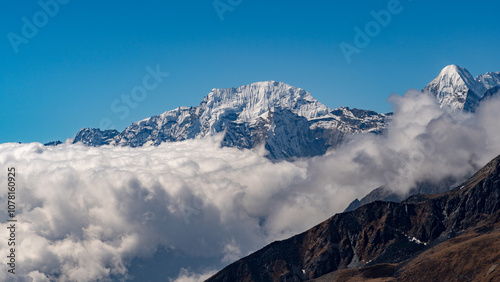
455, 87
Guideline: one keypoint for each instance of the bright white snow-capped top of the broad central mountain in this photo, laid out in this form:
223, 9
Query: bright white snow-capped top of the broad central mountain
251, 101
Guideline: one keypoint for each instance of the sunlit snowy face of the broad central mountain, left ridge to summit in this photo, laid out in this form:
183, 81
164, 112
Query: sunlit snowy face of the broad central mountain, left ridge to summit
244, 104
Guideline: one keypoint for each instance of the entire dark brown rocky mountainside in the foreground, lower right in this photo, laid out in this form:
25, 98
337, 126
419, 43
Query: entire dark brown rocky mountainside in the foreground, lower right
445, 237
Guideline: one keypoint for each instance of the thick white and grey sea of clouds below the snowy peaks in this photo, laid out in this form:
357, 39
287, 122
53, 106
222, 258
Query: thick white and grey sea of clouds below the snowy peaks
87, 213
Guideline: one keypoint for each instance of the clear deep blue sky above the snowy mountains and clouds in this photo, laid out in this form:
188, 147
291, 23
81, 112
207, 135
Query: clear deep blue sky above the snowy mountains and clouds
89, 53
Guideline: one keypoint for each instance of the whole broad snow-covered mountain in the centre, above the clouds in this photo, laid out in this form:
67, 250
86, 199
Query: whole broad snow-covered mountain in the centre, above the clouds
287, 120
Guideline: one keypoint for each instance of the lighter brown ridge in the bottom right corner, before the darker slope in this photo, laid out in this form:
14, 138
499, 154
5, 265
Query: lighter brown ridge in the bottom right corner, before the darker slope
473, 256
